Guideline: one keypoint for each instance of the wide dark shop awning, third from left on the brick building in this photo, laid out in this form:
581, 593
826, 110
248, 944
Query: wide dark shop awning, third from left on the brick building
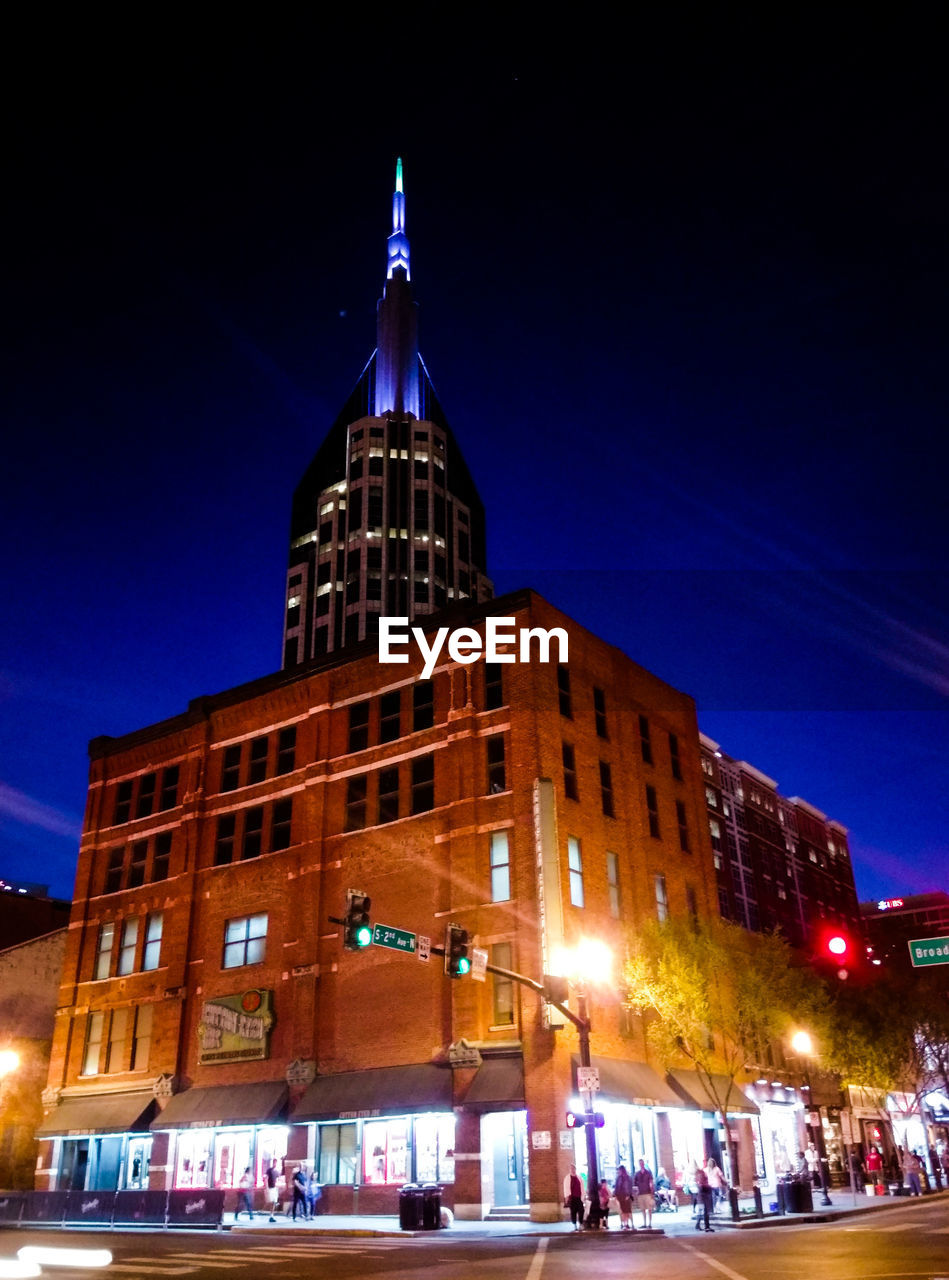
382, 1091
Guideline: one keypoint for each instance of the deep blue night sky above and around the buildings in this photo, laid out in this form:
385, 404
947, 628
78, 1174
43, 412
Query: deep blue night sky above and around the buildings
683, 296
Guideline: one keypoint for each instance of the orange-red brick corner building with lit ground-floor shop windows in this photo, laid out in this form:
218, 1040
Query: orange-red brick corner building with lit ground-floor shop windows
211, 1020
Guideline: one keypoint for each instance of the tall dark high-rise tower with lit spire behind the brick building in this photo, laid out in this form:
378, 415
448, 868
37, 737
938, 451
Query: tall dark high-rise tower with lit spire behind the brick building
386, 519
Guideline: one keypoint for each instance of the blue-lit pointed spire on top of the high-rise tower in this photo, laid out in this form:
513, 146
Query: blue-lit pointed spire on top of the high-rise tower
396, 328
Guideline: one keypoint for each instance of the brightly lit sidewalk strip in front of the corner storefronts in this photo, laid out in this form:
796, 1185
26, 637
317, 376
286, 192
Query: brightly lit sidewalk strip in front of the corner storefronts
664, 1224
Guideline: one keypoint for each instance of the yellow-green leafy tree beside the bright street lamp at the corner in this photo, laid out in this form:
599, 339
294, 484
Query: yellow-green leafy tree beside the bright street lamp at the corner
719, 995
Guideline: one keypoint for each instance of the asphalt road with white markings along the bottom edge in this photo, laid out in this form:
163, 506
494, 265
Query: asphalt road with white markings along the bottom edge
911, 1242
